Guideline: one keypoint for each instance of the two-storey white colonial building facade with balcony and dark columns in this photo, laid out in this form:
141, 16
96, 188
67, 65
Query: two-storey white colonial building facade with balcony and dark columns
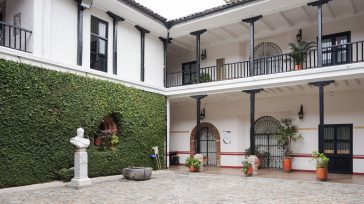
228, 73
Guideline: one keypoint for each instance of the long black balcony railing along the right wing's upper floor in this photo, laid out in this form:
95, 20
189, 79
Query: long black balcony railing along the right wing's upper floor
334, 55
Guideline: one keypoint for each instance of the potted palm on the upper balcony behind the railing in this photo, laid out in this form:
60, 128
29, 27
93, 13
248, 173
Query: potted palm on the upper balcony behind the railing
299, 52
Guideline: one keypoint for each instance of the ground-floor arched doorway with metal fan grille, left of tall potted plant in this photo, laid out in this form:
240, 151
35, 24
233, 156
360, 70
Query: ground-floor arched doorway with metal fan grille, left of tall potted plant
266, 144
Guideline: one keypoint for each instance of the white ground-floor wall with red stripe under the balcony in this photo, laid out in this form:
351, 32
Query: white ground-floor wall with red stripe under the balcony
341, 108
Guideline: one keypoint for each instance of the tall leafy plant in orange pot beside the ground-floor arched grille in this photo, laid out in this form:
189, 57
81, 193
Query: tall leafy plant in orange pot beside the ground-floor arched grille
287, 134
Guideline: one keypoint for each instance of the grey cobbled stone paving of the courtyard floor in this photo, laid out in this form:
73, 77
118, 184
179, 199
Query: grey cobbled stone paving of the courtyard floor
177, 187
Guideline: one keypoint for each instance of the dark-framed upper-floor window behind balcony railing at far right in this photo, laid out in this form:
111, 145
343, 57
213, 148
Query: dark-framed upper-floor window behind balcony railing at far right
335, 49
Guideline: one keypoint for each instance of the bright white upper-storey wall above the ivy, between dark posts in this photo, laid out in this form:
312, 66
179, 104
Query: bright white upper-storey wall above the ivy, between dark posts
55, 38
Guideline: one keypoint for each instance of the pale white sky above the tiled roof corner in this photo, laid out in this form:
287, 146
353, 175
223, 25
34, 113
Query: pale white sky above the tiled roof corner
172, 9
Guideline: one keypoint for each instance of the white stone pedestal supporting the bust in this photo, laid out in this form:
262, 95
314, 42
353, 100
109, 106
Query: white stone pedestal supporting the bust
81, 170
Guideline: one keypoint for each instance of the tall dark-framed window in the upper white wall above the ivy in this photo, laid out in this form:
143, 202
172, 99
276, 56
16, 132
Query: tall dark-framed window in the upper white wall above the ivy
98, 56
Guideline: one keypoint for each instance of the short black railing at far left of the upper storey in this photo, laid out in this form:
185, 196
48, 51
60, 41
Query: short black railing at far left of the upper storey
14, 37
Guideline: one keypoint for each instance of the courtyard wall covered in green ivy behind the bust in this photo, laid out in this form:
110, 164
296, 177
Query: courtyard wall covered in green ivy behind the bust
40, 111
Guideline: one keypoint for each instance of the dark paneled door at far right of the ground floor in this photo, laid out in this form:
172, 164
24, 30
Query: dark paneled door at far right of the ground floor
337, 144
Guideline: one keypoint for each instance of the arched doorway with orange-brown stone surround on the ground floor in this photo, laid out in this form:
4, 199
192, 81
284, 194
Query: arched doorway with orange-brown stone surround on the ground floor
209, 143
